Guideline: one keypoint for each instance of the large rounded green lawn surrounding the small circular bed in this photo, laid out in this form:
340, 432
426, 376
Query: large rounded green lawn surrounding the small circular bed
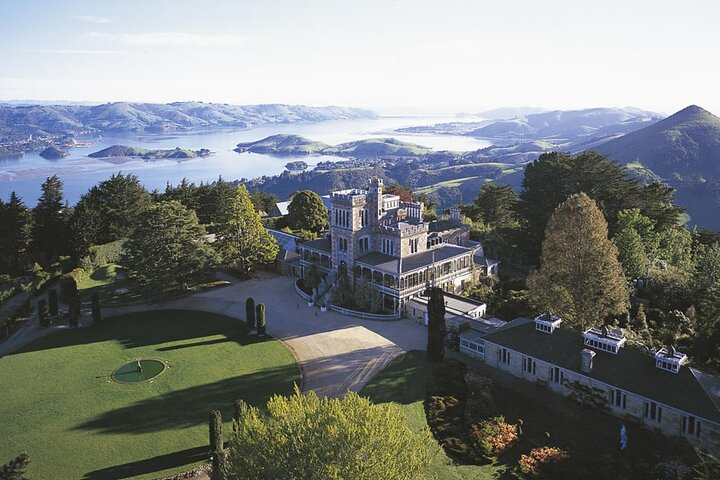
57, 401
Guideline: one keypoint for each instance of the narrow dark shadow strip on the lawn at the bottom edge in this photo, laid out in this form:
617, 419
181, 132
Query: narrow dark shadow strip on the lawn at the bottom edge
149, 465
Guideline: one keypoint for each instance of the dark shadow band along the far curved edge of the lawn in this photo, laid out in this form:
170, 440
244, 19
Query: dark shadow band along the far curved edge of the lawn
146, 328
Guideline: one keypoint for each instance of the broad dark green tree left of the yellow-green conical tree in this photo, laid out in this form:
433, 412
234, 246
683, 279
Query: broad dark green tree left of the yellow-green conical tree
167, 249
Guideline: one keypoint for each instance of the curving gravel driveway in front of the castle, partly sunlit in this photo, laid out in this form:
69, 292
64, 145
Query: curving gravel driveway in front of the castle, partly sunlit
335, 353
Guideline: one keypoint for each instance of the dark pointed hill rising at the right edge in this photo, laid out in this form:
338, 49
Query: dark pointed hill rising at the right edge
683, 150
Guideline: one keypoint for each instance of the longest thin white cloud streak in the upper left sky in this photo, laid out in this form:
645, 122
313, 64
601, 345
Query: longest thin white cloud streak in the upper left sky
168, 39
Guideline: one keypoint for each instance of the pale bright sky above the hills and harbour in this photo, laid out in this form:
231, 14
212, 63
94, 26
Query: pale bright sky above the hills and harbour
394, 56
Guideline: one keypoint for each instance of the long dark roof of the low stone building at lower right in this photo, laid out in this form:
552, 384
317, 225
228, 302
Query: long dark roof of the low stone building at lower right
630, 370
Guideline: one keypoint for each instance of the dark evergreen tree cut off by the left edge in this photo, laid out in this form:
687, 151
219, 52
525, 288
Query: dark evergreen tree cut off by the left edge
15, 235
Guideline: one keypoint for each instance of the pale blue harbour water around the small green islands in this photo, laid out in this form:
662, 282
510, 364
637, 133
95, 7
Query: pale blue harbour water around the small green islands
78, 172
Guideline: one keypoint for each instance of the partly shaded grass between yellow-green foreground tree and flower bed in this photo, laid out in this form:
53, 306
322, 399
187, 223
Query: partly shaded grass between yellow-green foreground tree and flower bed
404, 381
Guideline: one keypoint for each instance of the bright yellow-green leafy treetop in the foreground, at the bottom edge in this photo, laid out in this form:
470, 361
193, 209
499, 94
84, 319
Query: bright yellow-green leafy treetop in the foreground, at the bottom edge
307, 437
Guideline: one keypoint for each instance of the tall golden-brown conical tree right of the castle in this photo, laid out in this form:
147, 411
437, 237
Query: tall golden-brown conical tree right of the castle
580, 277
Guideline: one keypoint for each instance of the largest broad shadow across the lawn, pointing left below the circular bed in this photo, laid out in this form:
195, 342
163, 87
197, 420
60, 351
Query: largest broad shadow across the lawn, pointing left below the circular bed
190, 407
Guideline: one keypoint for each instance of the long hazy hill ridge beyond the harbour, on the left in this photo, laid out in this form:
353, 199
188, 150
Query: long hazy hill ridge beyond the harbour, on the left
180, 116
